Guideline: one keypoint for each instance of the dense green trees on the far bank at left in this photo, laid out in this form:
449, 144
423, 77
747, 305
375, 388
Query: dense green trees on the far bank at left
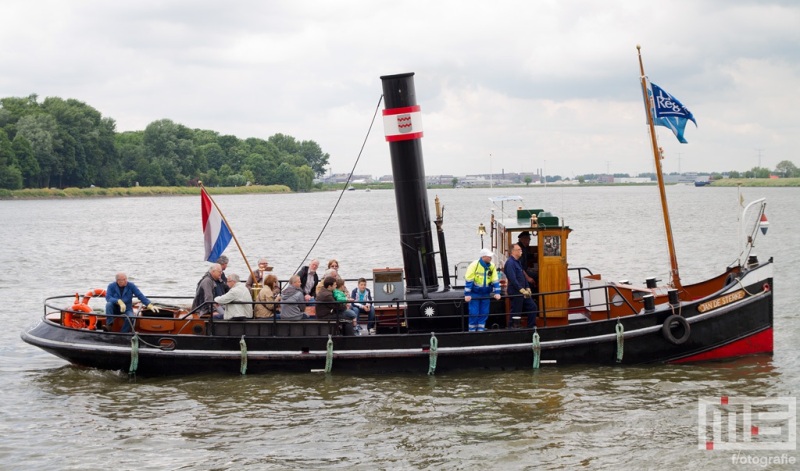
67, 143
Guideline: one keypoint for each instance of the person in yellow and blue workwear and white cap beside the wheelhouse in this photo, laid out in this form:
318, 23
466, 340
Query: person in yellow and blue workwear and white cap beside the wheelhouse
482, 283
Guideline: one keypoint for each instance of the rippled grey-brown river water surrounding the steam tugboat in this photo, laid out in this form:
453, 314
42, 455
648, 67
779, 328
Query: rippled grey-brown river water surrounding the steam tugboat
55, 416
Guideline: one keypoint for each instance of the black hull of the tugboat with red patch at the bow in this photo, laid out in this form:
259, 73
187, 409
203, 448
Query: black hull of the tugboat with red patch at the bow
740, 328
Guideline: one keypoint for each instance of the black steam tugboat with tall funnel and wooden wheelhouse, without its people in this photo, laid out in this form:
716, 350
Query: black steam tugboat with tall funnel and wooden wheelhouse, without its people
423, 320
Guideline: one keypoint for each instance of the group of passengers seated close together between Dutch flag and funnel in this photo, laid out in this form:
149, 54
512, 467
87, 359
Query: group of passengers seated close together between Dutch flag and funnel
305, 296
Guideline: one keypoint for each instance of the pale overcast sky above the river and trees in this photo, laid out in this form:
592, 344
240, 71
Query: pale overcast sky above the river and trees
535, 84
